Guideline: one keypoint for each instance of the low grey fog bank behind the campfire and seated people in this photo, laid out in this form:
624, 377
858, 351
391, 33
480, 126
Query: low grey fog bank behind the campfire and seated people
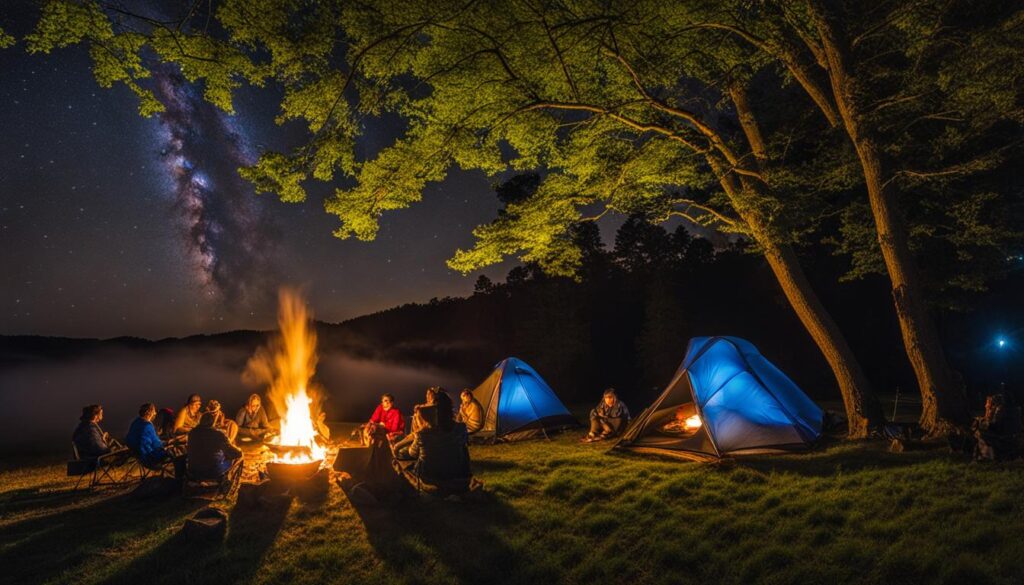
40, 402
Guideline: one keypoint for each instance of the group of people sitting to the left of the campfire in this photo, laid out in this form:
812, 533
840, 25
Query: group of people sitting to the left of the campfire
201, 443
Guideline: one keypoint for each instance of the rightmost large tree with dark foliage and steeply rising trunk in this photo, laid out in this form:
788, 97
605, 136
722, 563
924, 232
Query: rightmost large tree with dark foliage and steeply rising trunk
929, 95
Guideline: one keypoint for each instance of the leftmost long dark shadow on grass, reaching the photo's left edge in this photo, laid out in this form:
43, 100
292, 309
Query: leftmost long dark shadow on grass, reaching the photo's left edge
47, 547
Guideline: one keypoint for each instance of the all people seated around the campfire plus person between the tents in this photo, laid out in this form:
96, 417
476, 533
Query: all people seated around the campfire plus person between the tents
202, 443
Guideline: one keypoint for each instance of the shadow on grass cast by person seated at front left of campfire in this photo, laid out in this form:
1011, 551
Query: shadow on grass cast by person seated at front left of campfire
251, 533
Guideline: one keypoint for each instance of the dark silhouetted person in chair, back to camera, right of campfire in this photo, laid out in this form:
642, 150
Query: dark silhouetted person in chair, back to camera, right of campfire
441, 453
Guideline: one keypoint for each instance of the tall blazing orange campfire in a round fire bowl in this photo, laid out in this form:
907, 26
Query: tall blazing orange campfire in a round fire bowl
287, 366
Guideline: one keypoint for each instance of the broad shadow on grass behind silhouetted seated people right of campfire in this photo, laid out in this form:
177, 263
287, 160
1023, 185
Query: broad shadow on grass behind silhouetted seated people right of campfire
467, 540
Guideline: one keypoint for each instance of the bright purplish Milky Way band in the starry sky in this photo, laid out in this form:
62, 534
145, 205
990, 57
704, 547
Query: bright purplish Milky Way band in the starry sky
229, 237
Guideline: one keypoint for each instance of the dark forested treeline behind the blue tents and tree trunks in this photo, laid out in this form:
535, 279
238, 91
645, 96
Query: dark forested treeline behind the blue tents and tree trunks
626, 322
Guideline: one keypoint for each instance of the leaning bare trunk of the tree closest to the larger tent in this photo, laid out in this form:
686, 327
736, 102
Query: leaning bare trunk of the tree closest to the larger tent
863, 409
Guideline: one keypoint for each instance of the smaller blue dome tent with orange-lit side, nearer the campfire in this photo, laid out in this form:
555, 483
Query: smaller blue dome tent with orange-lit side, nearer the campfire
519, 404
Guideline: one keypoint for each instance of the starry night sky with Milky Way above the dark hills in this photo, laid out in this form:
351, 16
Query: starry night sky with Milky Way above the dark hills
114, 225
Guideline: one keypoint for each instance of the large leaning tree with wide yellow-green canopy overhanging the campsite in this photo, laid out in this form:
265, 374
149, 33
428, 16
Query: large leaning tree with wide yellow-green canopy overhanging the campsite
616, 110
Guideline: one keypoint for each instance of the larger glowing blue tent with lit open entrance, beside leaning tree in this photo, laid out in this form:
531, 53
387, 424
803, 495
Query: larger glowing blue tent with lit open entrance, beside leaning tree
738, 402
